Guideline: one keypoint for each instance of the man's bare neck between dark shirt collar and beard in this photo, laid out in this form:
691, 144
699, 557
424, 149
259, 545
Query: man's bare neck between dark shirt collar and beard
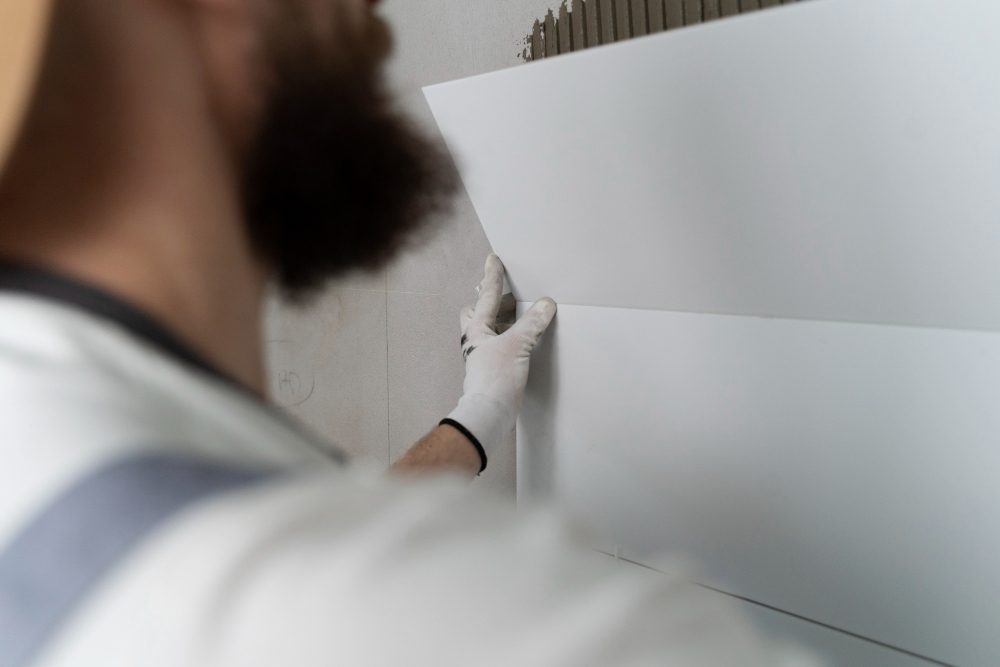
143, 203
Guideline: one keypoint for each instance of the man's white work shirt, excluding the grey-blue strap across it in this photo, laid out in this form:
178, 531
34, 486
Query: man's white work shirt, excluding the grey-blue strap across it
324, 565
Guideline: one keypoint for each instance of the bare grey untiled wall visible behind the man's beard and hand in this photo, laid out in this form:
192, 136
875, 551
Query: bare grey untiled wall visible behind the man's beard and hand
374, 363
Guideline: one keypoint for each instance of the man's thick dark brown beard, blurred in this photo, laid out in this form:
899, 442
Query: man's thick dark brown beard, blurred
336, 179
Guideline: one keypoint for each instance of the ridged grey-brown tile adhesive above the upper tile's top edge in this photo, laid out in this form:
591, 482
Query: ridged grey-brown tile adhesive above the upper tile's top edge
581, 24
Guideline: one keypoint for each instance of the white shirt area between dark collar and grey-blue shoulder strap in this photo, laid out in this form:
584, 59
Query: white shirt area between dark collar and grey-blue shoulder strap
77, 391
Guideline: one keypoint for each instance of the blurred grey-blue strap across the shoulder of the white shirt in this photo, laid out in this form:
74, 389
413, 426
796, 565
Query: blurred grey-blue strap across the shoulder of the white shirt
48, 569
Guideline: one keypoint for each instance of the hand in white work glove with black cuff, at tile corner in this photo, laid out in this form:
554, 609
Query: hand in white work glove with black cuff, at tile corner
496, 366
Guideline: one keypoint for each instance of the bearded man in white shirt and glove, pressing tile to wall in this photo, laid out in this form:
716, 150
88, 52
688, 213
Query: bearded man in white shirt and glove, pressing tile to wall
162, 162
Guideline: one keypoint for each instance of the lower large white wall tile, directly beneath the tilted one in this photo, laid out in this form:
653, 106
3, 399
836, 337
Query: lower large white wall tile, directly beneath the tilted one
843, 472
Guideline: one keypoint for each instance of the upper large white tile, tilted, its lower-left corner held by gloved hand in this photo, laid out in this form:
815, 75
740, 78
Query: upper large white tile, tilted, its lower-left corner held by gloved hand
826, 160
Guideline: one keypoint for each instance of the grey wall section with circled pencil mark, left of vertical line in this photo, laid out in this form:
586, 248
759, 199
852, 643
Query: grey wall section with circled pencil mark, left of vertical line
327, 365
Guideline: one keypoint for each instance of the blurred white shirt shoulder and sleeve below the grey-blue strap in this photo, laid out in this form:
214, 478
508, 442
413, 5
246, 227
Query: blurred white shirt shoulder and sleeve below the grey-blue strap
305, 570
